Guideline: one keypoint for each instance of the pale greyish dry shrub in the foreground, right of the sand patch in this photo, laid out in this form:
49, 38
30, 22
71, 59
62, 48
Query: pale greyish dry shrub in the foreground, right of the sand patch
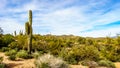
49, 61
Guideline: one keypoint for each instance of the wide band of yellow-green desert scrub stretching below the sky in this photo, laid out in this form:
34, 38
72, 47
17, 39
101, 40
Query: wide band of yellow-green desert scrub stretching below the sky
73, 49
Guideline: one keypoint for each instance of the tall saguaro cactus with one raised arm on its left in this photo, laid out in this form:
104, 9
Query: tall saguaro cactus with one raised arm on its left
28, 31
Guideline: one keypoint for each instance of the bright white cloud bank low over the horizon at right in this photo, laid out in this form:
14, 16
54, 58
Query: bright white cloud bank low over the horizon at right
102, 33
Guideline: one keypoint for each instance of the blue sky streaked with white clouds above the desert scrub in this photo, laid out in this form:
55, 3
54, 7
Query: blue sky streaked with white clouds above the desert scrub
93, 18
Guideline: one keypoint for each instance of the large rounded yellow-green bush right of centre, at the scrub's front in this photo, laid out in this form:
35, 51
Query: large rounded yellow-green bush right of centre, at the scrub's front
87, 52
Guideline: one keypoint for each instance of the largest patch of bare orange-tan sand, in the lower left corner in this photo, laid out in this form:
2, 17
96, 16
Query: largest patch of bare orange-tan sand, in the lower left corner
18, 64
